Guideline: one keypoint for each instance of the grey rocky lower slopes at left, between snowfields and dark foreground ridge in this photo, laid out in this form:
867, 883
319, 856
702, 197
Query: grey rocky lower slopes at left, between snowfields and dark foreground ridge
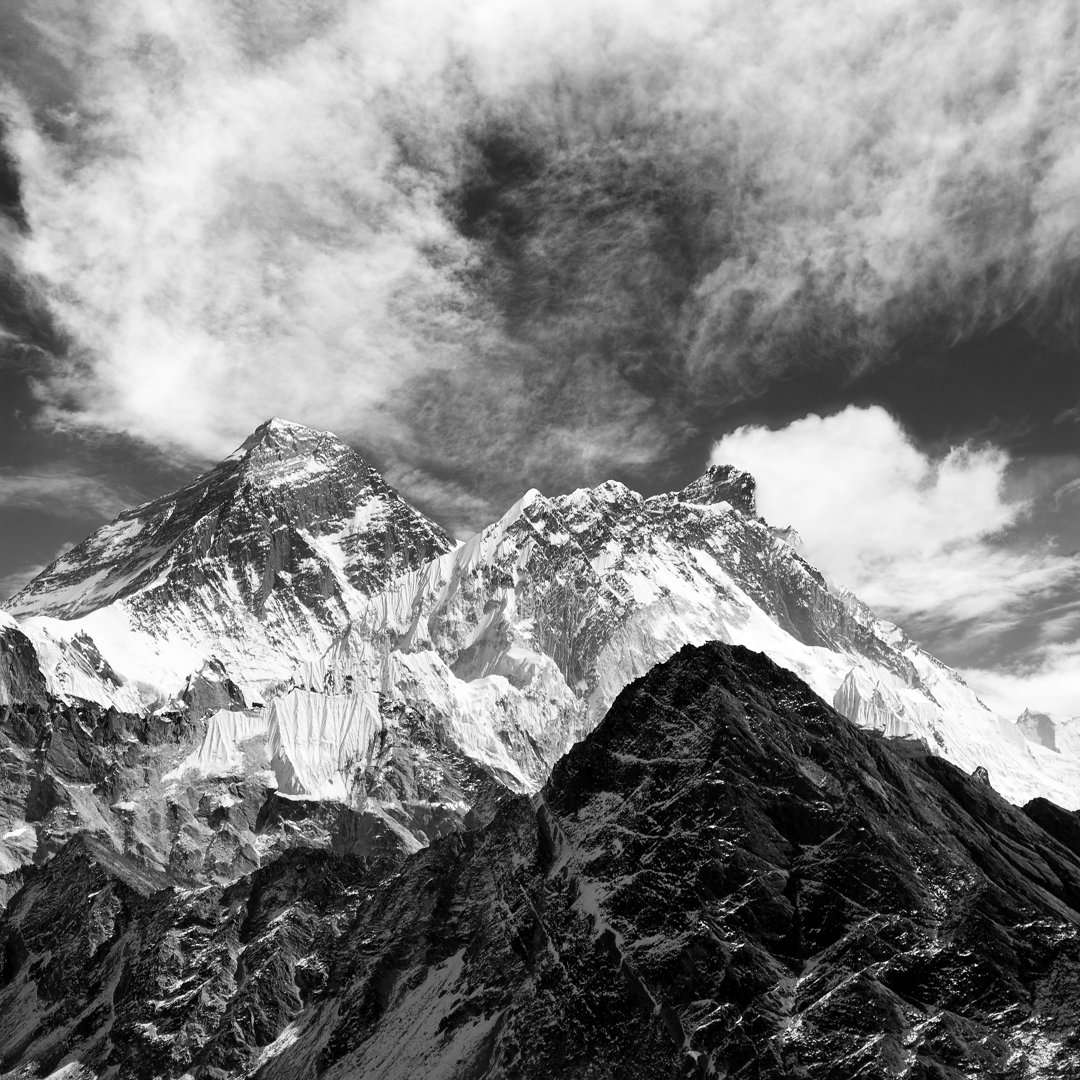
80, 769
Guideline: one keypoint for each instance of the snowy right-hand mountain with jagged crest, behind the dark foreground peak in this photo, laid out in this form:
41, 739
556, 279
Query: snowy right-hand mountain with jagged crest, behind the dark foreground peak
522, 638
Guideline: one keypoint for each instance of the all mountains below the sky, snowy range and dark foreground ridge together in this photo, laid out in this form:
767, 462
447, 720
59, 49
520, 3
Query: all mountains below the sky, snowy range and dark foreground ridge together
307, 789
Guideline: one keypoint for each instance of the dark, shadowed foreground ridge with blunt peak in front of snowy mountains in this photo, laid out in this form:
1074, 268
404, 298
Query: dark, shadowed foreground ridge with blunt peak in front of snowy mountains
725, 879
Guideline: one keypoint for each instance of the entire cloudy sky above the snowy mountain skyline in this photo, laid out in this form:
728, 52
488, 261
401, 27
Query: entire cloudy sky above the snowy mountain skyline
498, 245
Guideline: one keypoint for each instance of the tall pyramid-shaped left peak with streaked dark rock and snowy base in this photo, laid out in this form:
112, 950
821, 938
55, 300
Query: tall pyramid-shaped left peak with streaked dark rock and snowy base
259, 562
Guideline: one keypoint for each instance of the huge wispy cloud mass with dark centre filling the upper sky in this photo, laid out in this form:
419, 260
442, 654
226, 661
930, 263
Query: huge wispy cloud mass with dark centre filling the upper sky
401, 218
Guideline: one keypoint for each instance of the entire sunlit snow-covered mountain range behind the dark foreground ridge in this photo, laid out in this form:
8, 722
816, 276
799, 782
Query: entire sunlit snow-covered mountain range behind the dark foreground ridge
407, 681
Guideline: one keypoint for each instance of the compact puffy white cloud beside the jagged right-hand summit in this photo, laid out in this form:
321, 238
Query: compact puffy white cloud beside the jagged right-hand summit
925, 541
